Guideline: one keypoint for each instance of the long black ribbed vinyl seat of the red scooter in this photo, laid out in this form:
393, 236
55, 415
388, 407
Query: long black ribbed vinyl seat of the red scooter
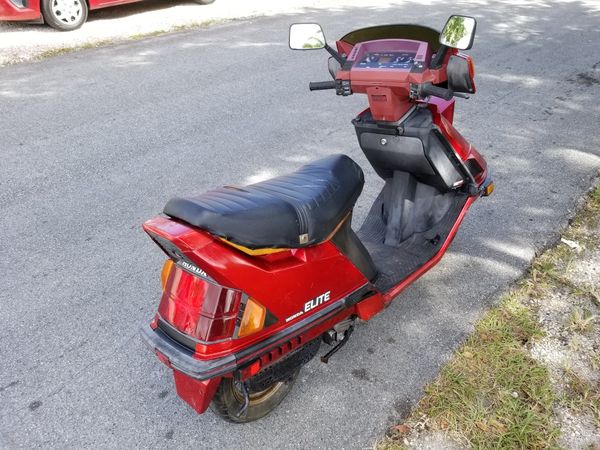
290, 211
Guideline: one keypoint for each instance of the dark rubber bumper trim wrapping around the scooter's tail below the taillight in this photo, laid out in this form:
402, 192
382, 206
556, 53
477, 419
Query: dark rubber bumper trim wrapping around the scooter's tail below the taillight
183, 360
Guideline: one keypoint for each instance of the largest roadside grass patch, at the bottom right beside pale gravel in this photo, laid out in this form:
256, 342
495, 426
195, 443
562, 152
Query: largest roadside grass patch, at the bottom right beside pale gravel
492, 394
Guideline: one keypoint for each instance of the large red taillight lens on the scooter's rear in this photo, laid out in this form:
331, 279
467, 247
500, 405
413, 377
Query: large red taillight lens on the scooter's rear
199, 307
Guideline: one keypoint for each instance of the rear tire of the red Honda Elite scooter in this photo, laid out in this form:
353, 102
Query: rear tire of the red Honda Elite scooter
228, 399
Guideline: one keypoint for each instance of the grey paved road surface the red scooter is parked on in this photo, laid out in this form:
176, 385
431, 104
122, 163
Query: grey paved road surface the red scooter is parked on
95, 142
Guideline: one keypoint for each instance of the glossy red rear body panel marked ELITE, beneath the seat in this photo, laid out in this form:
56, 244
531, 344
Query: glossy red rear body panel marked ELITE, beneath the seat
283, 284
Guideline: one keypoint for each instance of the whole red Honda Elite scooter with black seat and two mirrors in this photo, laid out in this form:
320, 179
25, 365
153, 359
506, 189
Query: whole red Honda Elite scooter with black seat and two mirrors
258, 276
